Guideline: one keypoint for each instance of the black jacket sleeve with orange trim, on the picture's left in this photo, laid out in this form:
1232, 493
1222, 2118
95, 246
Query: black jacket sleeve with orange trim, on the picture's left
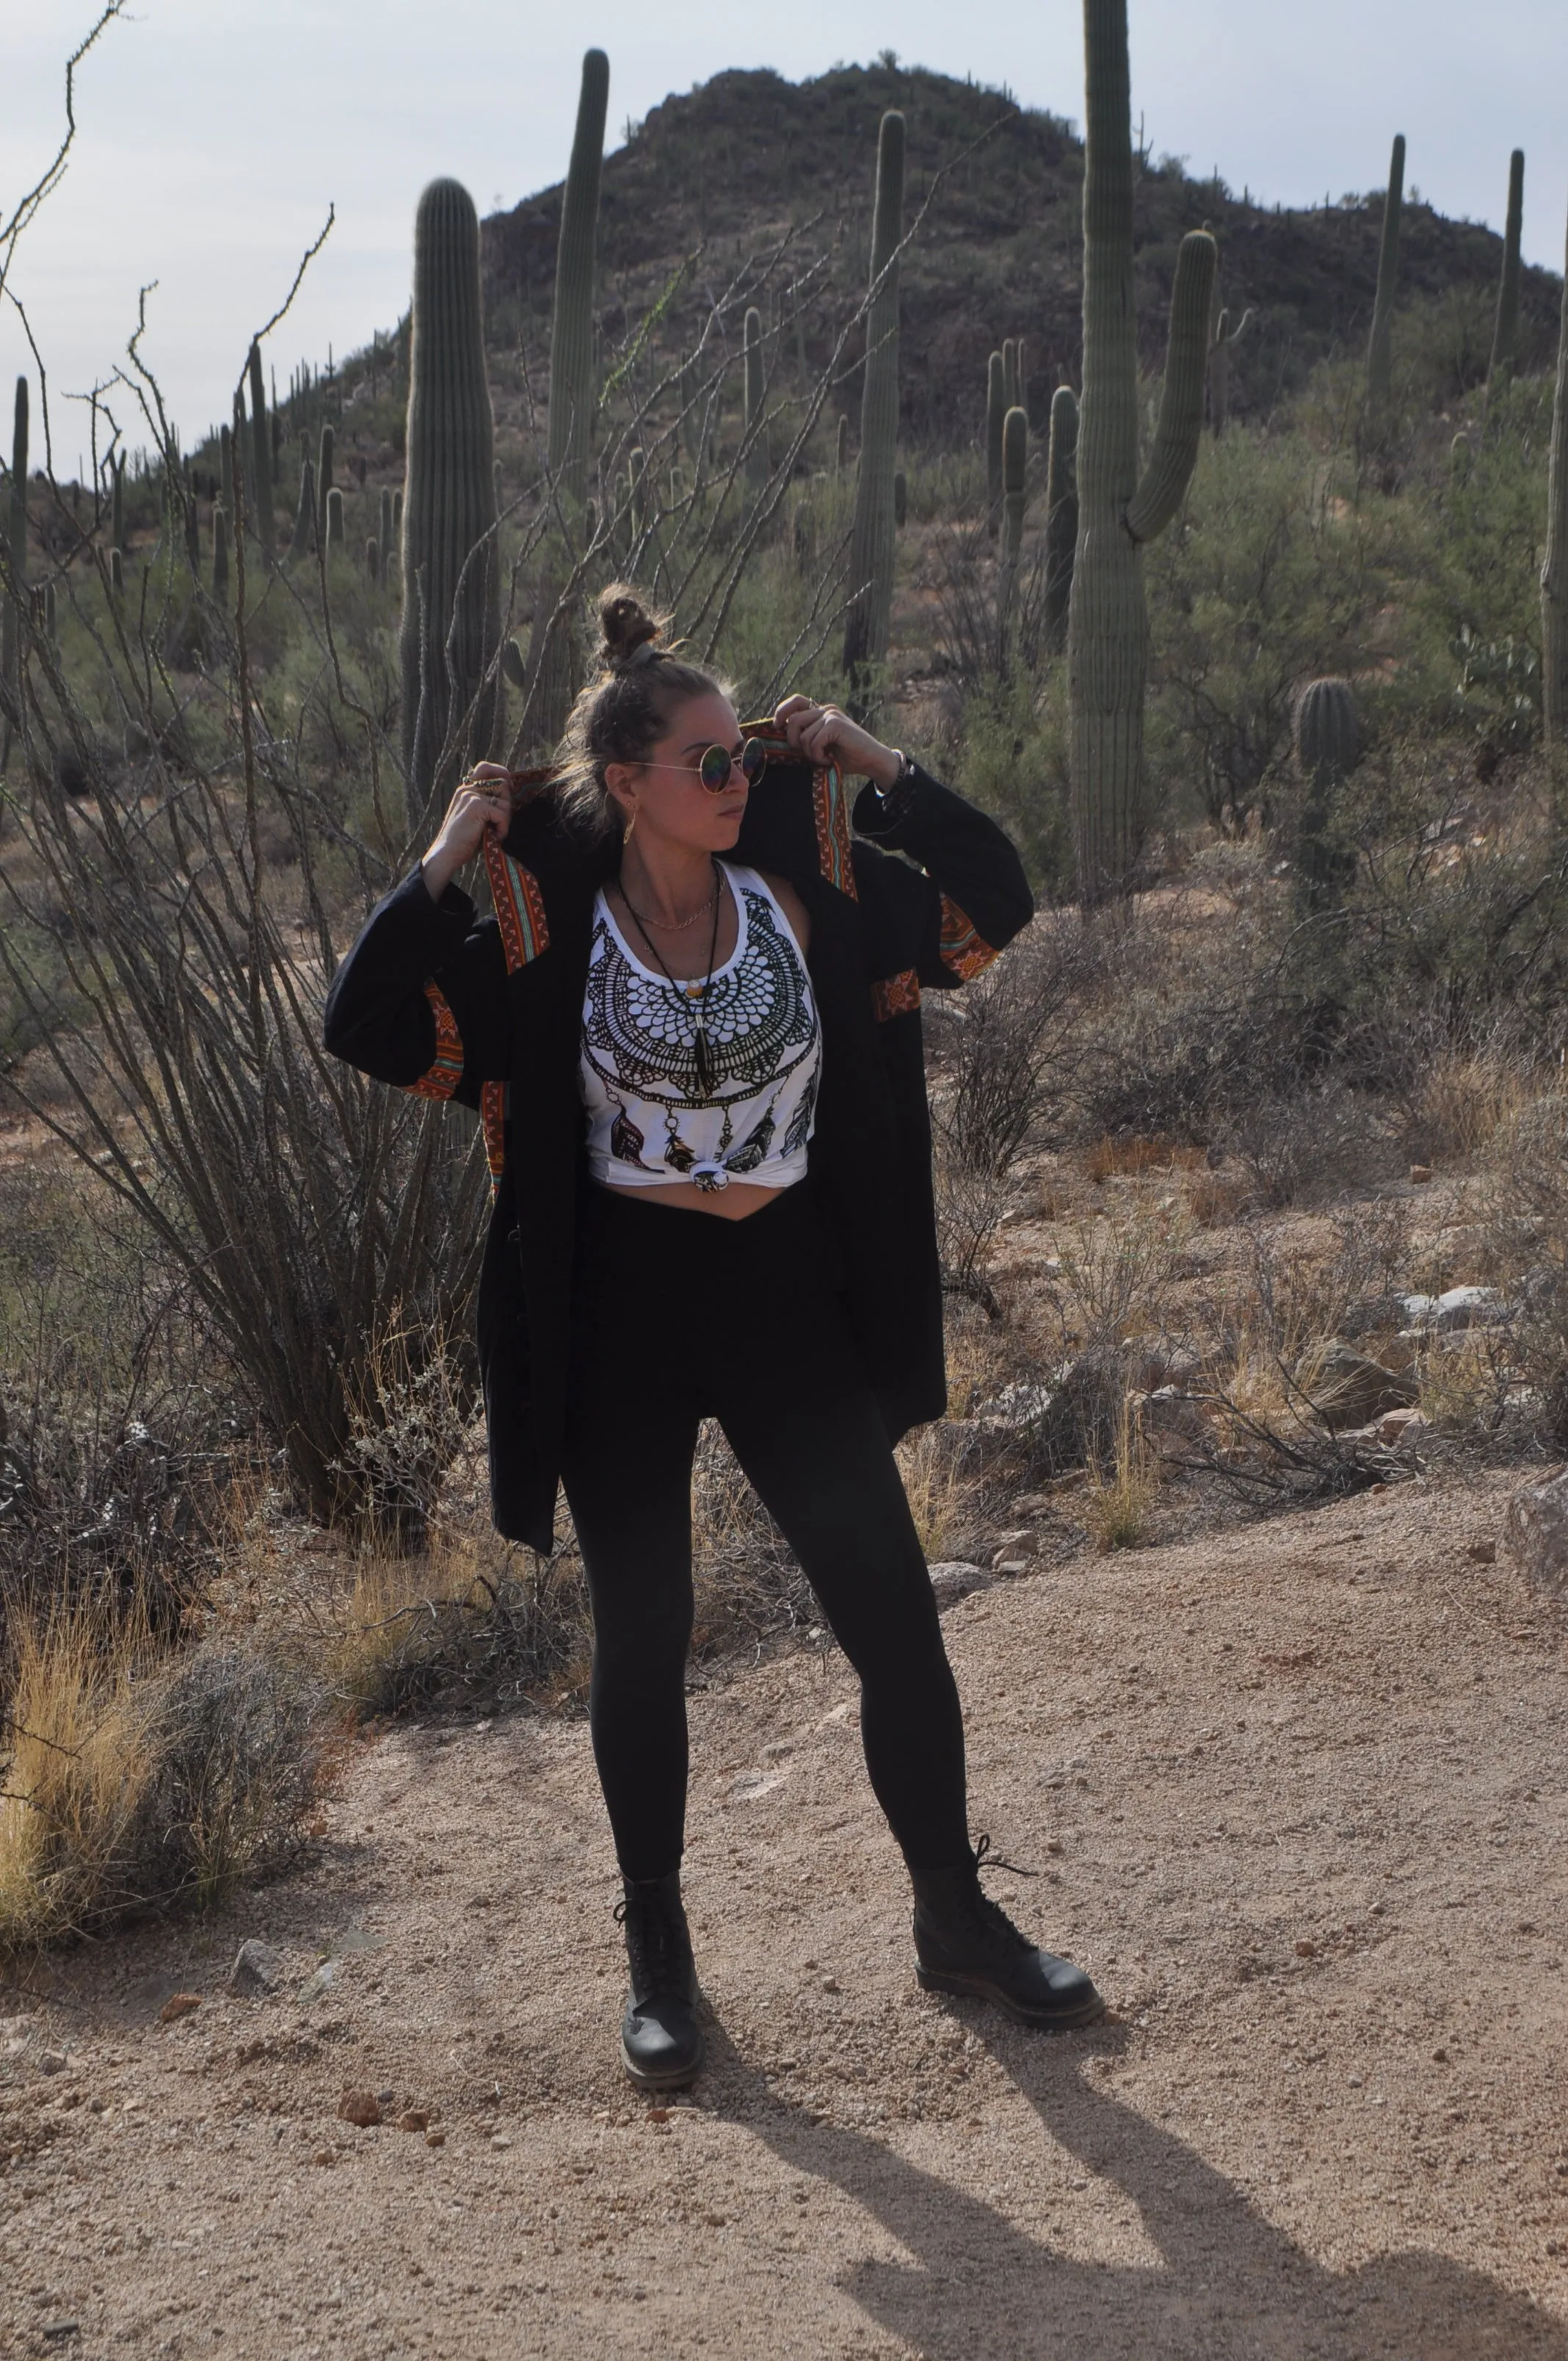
422, 1000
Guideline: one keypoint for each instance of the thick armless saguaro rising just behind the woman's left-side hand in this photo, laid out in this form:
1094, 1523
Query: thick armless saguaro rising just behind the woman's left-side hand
452, 580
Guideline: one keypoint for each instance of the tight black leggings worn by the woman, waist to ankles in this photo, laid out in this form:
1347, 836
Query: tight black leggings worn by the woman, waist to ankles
684, 1316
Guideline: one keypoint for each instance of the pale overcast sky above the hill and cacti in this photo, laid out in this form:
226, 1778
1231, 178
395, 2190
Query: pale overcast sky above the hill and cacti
216, 133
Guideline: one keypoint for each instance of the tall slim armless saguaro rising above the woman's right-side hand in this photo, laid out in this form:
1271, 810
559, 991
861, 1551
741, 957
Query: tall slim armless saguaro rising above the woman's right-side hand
865, 636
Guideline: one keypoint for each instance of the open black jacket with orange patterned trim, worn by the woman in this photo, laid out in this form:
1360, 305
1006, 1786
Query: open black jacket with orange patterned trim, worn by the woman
490, 1012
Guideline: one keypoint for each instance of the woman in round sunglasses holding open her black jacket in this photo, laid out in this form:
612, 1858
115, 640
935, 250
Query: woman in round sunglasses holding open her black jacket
693, 1035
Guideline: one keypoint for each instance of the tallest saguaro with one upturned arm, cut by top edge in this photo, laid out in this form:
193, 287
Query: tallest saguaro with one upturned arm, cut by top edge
1121, 509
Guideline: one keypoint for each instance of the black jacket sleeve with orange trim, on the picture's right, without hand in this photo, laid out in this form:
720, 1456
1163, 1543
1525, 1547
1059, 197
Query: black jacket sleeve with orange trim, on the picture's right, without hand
969, 894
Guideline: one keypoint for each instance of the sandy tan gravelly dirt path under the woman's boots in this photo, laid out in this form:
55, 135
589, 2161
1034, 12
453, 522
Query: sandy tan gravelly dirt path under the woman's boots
1300, 1803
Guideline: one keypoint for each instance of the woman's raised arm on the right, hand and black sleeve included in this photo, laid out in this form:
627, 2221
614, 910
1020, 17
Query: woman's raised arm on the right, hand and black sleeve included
974, 894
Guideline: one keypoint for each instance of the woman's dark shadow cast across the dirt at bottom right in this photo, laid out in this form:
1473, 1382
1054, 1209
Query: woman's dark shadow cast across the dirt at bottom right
1227, 2284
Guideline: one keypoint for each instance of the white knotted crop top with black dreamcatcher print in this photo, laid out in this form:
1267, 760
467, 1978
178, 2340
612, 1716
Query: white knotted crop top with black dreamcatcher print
648, 1118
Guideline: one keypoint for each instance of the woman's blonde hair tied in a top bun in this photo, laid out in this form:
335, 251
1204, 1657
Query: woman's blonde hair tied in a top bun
625, 709
